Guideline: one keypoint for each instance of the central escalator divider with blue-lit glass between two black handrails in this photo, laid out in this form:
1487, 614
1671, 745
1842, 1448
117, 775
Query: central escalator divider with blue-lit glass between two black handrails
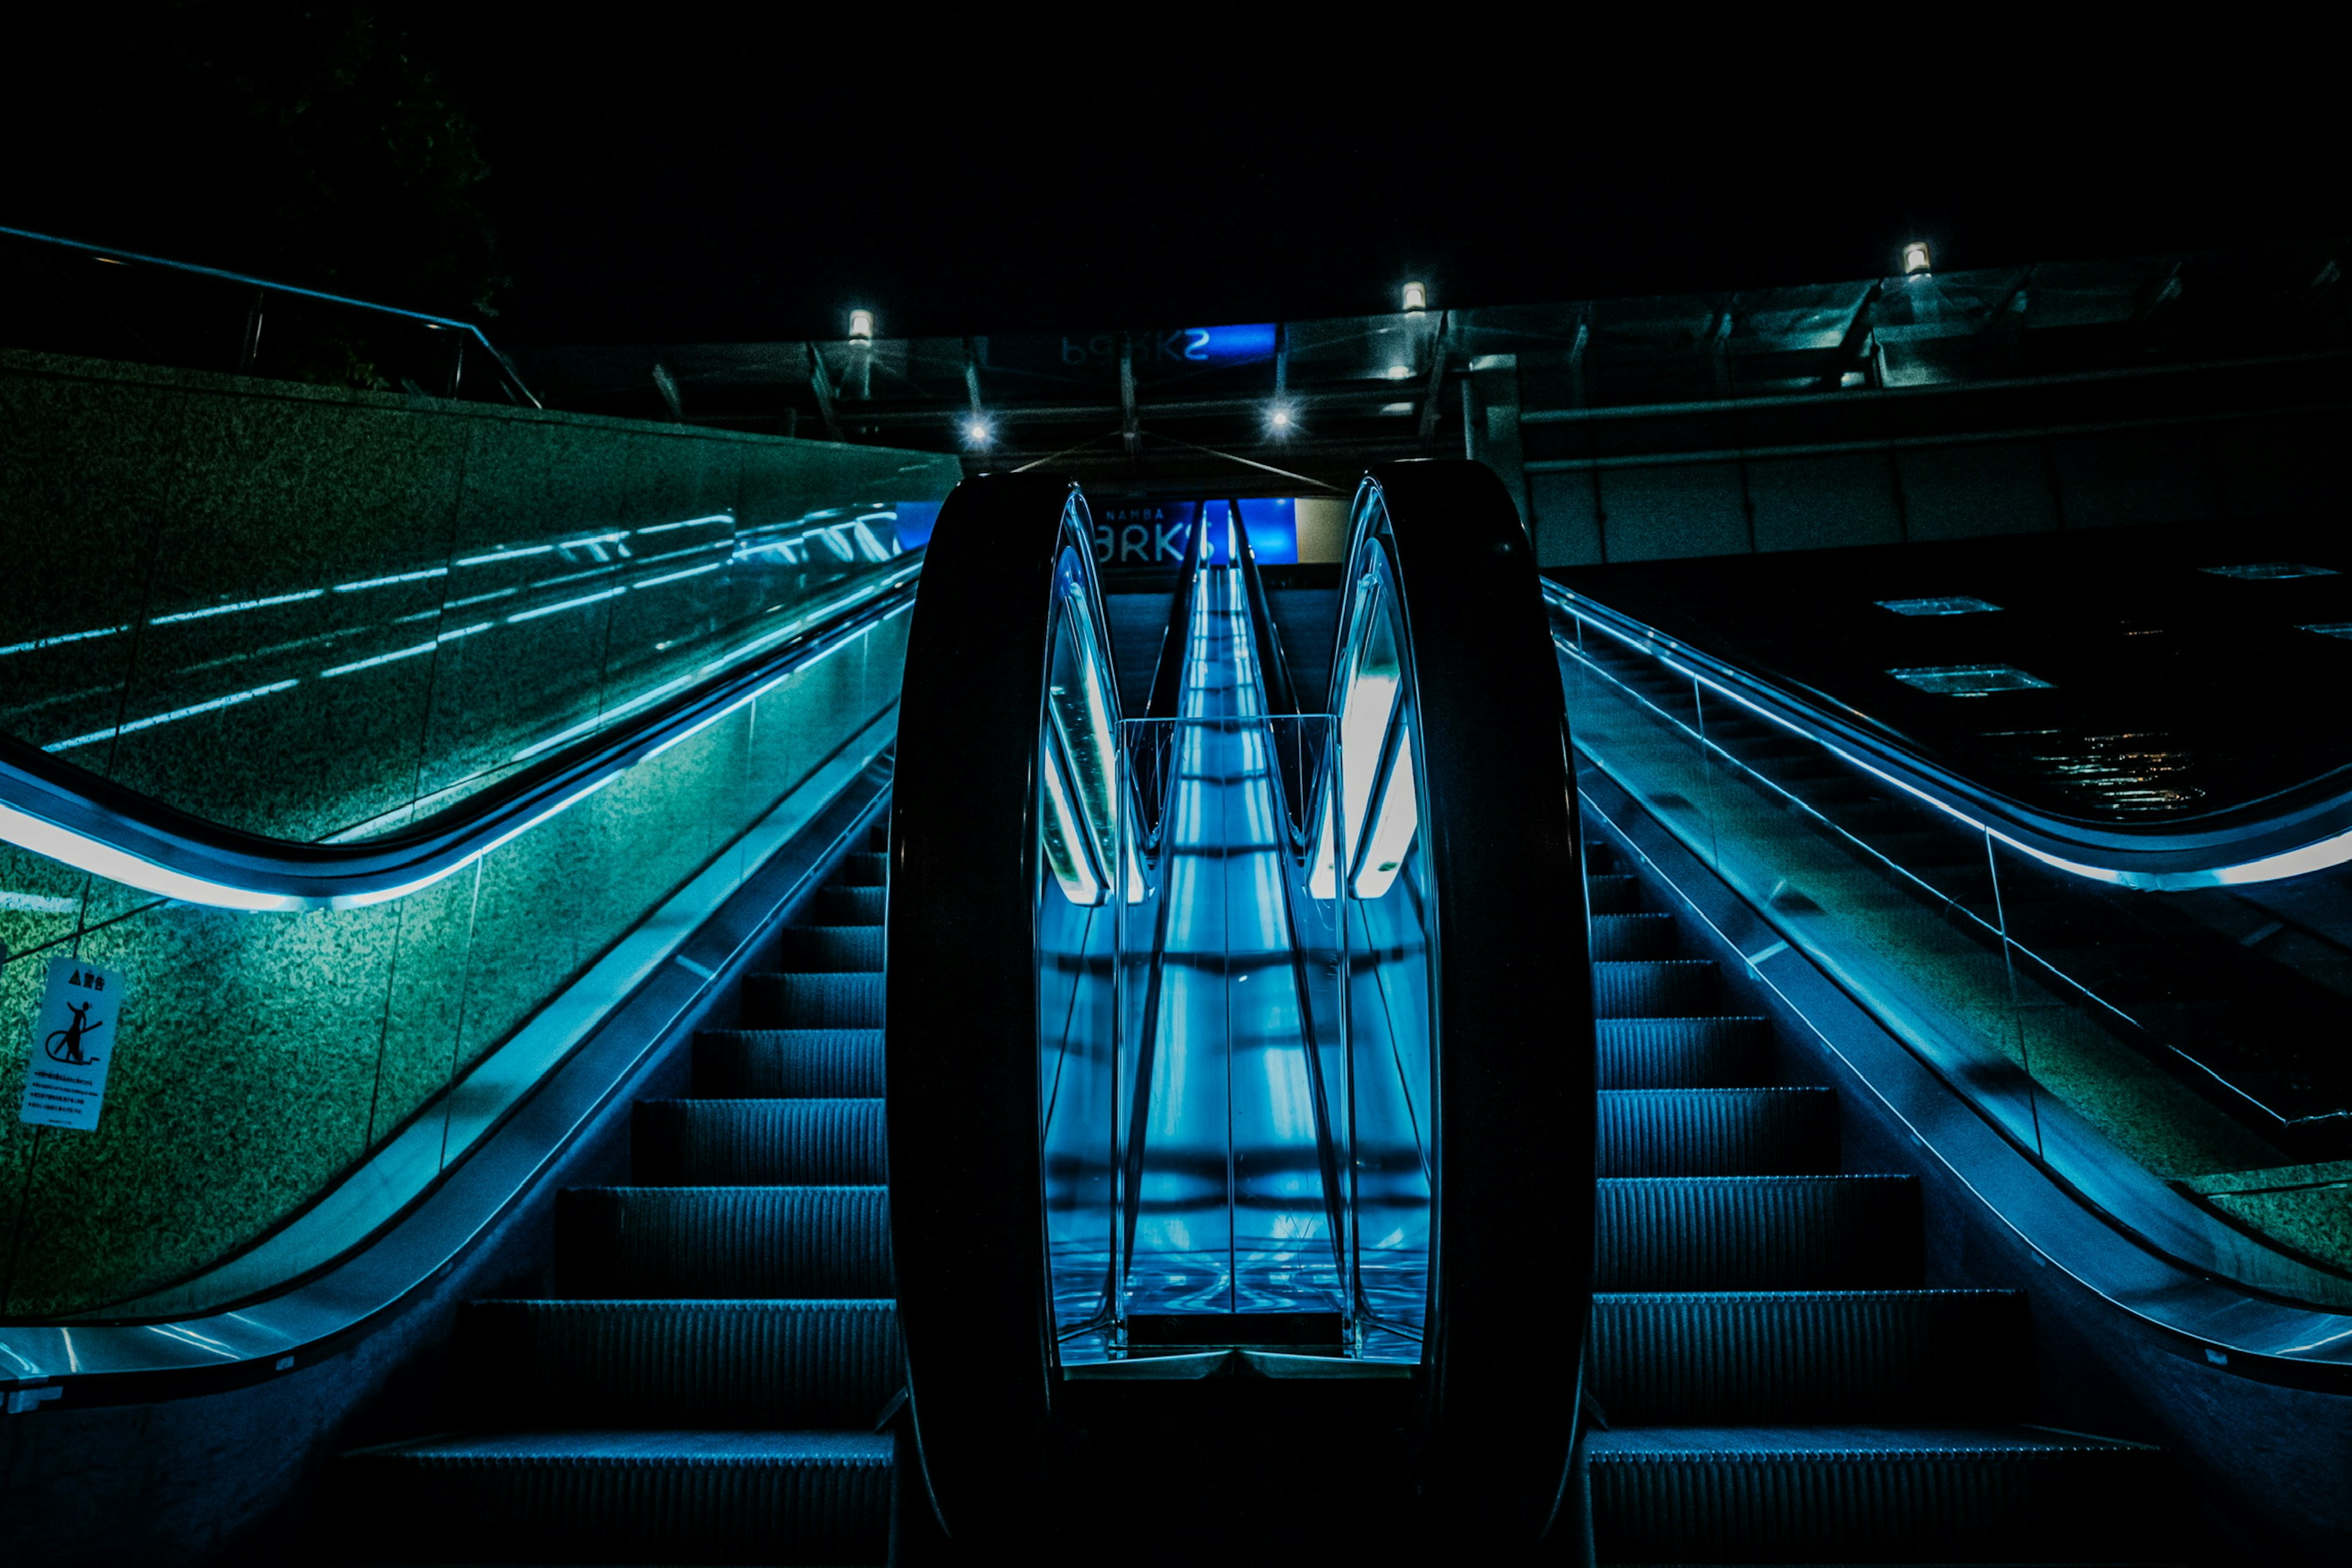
1220, 1003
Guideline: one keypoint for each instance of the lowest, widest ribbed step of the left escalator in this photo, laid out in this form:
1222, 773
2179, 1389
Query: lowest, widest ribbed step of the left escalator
634, 1496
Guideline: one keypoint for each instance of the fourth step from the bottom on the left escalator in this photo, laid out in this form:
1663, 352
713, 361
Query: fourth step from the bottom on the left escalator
721, 1144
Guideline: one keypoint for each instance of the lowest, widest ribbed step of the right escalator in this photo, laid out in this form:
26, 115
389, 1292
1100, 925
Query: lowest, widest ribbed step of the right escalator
1862, 1494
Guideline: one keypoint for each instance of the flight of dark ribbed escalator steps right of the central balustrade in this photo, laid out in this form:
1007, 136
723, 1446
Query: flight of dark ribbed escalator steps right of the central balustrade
1777, 1383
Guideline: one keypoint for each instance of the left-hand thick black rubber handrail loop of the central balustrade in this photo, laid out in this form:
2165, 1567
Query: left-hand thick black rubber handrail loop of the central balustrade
961, 1014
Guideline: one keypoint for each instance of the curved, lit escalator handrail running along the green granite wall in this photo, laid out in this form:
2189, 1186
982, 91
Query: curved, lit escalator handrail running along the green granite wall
98, 826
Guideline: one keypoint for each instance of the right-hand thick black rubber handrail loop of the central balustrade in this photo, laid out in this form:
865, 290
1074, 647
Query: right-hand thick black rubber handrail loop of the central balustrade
1514, 1061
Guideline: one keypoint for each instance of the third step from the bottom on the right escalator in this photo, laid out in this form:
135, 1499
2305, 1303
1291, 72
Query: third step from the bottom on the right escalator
1758, 1233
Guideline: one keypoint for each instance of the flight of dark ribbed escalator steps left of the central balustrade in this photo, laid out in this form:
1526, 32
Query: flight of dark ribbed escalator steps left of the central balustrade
709, 1383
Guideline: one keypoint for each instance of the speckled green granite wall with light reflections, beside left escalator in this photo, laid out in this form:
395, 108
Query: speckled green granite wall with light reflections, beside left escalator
399, 601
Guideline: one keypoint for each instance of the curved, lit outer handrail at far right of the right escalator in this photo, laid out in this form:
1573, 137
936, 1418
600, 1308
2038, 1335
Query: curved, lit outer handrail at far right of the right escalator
2285, 836
